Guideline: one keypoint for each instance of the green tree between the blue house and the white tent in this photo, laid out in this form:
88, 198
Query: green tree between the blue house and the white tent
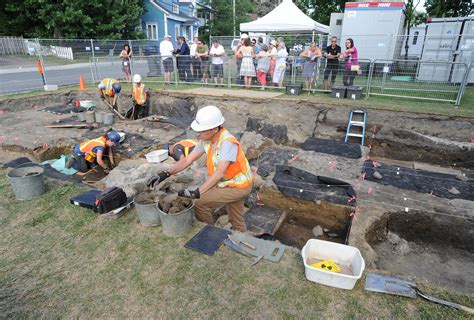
222, 23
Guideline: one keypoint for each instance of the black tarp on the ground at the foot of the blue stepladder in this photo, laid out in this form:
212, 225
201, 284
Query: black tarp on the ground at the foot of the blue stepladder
335, 147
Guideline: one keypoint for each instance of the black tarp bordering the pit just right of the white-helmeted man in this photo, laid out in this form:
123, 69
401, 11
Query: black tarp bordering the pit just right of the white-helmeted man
293, 182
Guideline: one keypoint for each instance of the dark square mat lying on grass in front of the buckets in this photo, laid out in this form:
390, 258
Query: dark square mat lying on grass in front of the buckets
208, 240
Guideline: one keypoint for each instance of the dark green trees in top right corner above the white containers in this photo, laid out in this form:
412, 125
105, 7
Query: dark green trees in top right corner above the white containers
448, 8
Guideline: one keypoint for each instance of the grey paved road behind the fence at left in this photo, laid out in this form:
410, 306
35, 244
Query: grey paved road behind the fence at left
28, 79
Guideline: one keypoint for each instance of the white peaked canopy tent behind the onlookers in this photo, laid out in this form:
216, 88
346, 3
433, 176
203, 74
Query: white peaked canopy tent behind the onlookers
287, 17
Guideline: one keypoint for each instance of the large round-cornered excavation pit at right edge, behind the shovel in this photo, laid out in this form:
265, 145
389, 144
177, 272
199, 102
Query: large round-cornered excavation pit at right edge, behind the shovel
435, 247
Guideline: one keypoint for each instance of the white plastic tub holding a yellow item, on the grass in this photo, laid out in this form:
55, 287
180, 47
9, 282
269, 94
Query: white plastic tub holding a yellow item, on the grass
345, 256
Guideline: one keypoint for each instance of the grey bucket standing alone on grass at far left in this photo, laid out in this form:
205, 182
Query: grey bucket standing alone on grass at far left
27, 181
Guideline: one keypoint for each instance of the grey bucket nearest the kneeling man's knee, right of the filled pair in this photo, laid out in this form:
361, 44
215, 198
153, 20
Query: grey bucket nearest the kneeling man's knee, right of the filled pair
175, 225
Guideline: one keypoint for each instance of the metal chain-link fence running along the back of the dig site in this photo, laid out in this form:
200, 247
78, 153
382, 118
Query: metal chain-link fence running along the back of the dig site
28, 64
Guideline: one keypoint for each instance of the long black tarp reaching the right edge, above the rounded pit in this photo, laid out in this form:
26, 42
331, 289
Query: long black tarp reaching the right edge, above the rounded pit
420, 181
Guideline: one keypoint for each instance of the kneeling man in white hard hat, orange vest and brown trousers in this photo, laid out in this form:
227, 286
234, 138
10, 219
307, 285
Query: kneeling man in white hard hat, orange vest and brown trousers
230, 178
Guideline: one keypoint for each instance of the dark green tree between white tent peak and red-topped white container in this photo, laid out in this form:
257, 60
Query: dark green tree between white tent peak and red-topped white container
320, 10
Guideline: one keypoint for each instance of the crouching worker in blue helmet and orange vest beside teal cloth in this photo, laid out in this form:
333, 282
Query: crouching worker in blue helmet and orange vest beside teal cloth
89, 152
